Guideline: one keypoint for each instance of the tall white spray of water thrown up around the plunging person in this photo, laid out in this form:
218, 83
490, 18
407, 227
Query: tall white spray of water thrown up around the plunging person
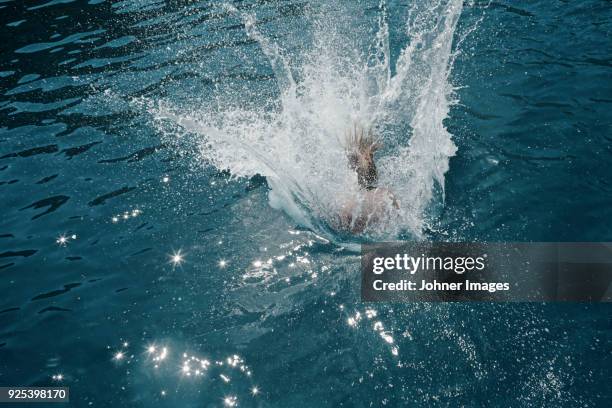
300, 146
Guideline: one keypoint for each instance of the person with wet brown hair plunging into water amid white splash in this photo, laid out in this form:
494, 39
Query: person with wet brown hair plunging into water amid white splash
372, 204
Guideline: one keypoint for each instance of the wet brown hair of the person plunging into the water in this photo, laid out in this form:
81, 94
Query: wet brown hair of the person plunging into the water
361, 146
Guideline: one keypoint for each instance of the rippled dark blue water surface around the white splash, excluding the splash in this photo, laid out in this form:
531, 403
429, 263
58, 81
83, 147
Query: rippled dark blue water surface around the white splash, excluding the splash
95, 209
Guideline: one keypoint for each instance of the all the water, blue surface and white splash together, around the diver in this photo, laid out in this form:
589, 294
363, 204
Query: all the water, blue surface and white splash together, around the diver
168, 170
